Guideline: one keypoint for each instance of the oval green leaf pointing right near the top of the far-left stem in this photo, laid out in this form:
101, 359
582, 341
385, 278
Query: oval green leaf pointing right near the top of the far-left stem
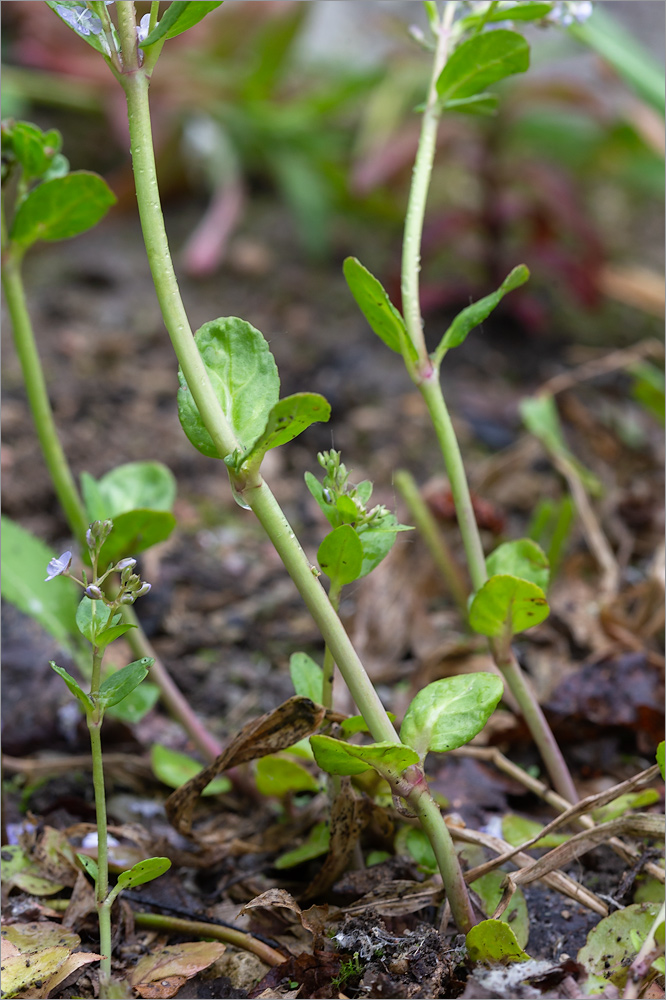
61, 208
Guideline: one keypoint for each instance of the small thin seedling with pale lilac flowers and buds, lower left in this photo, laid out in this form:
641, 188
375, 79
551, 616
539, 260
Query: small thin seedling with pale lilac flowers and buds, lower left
100, 623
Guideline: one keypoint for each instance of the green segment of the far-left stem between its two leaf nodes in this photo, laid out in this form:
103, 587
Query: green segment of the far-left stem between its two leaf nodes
38, 397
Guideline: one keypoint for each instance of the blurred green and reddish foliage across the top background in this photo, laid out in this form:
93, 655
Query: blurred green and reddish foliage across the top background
260, 100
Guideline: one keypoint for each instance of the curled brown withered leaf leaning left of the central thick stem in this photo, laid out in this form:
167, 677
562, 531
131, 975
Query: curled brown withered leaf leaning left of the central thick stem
290, 722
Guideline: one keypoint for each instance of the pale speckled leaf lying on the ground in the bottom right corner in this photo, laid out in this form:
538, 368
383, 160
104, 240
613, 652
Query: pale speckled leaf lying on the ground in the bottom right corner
610, 949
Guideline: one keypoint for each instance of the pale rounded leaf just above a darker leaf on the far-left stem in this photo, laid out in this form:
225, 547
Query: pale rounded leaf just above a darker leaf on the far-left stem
130, 487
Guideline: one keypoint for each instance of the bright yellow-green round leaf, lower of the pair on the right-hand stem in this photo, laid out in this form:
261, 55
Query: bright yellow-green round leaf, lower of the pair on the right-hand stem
506, 605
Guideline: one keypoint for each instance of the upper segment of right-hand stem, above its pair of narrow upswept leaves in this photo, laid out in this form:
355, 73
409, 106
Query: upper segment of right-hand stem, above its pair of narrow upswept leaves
425, 157
